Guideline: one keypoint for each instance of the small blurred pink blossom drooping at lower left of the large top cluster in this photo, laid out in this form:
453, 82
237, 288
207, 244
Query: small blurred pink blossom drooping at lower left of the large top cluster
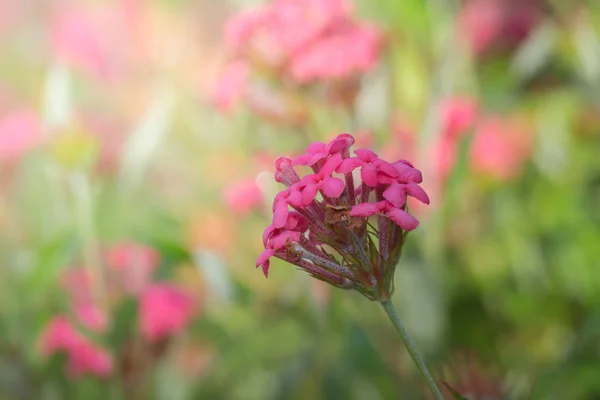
229, 88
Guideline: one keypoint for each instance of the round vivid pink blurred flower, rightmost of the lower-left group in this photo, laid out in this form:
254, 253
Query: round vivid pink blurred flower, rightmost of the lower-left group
165, 310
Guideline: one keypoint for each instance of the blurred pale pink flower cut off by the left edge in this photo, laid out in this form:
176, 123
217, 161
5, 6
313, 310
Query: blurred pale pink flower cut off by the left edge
20, 130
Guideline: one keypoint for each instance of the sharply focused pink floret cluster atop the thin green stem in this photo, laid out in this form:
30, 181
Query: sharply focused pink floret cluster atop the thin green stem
321, 222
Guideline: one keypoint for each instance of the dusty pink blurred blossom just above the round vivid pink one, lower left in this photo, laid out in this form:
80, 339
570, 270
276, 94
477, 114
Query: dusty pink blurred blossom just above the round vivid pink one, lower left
134, 265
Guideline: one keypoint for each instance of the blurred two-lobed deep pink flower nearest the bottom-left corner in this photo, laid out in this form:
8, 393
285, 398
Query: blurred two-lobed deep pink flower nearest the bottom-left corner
84, 357
